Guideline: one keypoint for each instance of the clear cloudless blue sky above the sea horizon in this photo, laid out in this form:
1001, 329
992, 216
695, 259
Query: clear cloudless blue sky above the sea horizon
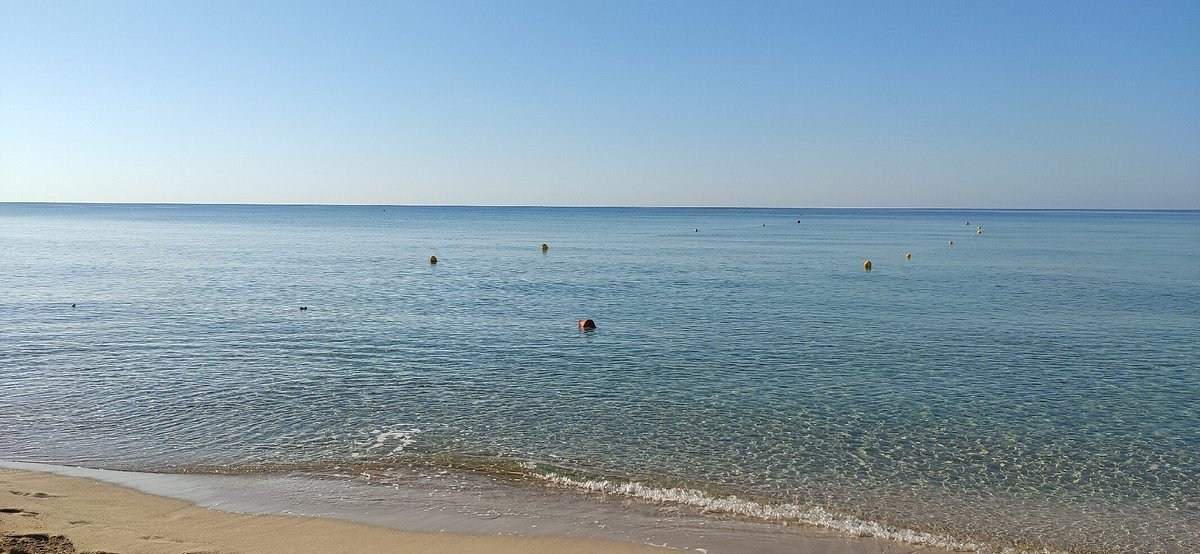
747, 104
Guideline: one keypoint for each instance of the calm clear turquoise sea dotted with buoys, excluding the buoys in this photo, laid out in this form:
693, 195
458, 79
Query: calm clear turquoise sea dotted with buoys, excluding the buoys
1031, 387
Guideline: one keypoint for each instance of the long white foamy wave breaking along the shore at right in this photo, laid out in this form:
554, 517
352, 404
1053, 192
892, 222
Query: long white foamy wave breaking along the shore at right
785, 513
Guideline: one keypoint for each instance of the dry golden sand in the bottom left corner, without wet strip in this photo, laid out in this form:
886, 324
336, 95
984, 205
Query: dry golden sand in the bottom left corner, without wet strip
43, 514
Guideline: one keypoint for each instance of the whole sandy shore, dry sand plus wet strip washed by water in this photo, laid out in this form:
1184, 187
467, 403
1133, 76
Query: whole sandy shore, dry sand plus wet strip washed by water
289, 513
